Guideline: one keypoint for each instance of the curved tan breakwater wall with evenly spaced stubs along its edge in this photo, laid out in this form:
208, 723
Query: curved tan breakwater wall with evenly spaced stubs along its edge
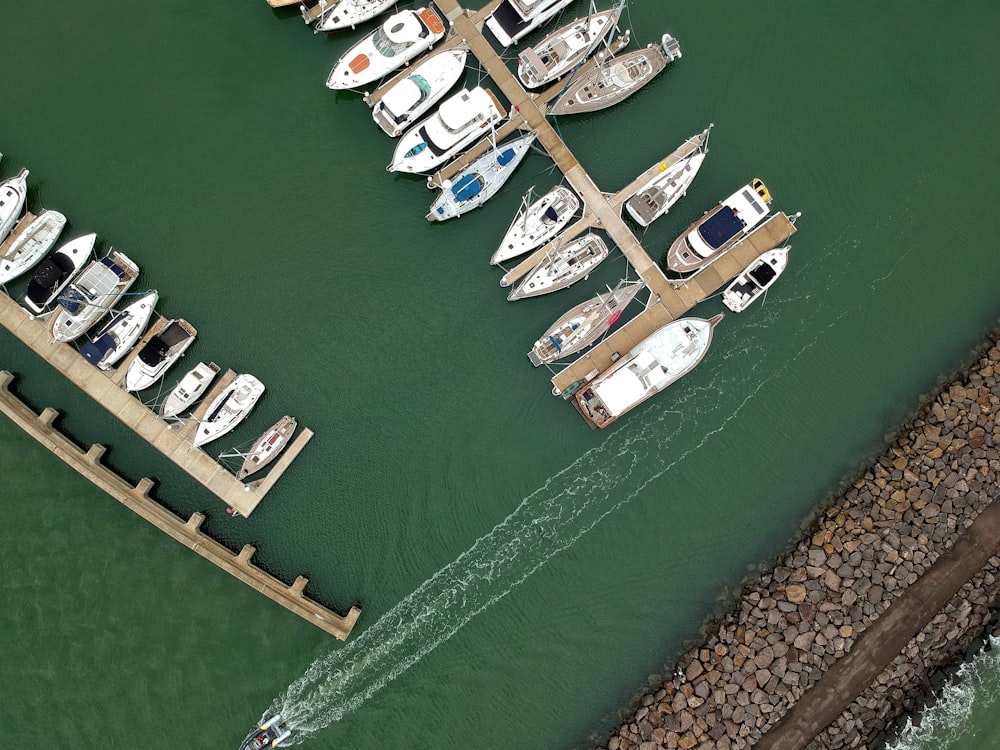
240, 566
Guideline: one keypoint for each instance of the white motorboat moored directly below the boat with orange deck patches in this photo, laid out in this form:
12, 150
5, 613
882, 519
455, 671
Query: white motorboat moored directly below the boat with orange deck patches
410, 98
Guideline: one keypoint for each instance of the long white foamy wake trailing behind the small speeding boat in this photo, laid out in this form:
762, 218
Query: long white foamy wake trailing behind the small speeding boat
546, 522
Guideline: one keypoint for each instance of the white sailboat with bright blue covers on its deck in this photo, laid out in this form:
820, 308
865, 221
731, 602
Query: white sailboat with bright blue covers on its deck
481, 180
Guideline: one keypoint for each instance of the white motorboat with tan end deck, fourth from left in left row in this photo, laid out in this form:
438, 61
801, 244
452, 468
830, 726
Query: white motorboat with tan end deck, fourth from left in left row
91, 294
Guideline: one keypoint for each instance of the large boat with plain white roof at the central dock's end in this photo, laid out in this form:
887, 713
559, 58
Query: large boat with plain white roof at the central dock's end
660, 359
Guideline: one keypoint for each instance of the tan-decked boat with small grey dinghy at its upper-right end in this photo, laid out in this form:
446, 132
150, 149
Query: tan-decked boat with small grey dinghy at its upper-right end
615, 78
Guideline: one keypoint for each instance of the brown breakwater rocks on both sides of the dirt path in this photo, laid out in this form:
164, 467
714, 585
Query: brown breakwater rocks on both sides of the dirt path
875, 539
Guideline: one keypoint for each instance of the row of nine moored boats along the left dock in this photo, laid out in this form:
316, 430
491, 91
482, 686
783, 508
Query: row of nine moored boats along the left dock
73, 293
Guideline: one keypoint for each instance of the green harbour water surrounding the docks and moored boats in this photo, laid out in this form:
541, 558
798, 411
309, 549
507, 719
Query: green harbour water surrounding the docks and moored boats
522, 577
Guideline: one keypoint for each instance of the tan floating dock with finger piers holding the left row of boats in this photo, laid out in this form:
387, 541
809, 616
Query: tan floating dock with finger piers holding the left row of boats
175, 444
